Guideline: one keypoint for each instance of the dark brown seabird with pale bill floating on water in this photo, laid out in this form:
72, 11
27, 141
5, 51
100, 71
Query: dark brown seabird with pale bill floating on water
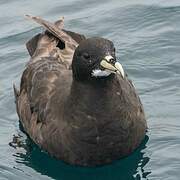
75, 100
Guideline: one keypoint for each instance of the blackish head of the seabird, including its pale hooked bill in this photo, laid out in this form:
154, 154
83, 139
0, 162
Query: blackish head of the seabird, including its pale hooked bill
95, 58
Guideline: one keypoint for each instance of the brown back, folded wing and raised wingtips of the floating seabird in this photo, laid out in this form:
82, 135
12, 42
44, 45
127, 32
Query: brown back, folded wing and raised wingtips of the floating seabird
46, 83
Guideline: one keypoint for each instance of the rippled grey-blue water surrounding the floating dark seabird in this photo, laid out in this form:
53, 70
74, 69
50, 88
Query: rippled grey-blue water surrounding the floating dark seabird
147, 39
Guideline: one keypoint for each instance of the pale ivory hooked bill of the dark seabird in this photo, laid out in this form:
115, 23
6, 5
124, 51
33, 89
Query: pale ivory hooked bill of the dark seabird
112, 67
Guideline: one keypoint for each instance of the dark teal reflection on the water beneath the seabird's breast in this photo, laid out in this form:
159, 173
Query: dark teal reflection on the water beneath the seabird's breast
129, 168
